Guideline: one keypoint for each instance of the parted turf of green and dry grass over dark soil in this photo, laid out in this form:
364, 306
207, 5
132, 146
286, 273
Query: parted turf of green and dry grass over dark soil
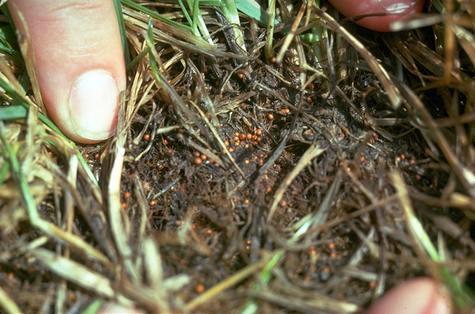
268, 154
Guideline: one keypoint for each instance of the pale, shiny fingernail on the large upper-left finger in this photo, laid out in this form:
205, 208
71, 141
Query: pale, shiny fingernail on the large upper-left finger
93, 104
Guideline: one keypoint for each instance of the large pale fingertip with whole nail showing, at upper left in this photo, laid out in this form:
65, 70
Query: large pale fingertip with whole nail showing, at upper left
77, 56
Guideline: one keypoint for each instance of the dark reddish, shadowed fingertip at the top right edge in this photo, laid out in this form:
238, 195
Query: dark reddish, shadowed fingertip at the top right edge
387, 11
